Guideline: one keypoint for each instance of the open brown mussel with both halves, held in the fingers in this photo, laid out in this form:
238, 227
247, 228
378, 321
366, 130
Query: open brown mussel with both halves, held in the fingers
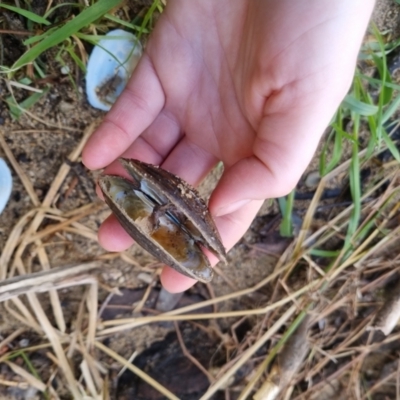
166, 216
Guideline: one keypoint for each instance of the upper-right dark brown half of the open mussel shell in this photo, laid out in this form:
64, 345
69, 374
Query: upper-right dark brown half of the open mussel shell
185, 198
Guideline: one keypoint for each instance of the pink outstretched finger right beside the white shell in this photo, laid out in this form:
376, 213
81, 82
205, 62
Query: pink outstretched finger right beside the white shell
136, 108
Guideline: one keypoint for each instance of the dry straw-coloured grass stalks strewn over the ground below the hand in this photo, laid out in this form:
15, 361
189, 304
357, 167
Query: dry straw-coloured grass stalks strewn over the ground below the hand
296, 324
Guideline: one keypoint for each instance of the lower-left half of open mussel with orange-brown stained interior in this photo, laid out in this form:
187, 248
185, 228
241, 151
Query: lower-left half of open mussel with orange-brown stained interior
142, 215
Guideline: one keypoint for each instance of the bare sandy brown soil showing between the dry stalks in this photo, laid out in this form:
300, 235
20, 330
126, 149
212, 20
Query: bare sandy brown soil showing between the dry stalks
41, 142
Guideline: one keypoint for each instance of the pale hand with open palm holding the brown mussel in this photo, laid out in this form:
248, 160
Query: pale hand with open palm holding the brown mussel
251, 83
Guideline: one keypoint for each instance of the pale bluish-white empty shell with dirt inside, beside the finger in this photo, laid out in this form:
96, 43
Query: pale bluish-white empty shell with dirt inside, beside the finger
110, 65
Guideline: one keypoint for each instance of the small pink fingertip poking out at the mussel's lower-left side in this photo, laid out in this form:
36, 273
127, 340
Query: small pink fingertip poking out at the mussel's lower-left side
112, 236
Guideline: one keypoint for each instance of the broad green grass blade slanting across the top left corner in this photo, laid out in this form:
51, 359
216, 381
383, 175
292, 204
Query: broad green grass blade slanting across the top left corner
84, 19
